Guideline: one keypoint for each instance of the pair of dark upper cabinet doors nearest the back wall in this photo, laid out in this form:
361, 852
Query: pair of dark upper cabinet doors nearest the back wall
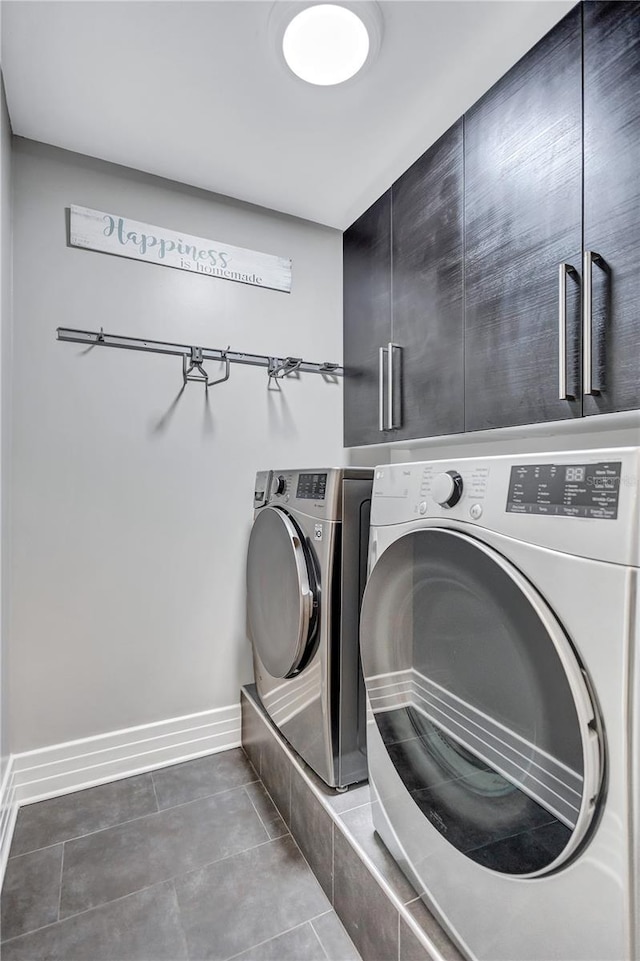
403, 285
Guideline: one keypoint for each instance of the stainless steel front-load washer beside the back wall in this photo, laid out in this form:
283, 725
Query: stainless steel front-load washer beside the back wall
306, 570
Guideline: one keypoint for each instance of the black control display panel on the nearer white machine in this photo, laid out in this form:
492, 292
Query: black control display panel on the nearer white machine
576, 490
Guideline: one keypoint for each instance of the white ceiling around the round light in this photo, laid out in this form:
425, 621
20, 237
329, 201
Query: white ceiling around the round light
197, 92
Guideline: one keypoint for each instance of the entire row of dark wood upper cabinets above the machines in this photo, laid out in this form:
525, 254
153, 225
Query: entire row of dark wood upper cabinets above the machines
505, 262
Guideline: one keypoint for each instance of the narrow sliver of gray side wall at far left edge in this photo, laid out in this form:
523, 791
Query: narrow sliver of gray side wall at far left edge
5, 418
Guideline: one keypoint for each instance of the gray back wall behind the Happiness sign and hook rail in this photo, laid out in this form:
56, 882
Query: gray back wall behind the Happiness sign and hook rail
132, 507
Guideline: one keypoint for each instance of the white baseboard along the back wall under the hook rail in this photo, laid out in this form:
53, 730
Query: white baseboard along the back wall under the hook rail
75, 765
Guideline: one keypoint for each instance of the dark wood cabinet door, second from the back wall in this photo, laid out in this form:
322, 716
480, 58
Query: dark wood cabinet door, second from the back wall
427, 301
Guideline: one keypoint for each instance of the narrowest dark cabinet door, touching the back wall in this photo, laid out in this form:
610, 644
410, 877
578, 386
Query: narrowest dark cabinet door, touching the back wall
367, 320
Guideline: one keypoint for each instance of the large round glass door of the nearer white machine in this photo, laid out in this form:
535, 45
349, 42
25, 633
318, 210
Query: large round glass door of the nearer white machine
480, 701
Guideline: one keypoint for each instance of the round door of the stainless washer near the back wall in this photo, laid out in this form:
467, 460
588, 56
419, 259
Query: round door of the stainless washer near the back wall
282, 597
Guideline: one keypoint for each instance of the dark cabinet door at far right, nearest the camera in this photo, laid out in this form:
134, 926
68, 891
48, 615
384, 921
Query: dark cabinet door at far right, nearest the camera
612, 201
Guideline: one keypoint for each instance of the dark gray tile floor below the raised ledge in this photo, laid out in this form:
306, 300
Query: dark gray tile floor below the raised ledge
187, 863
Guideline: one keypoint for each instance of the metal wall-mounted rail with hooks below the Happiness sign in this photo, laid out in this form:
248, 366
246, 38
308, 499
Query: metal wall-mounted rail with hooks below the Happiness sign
193, 358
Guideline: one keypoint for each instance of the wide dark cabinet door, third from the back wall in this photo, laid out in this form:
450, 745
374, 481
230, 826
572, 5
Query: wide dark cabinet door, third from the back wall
523, 219
